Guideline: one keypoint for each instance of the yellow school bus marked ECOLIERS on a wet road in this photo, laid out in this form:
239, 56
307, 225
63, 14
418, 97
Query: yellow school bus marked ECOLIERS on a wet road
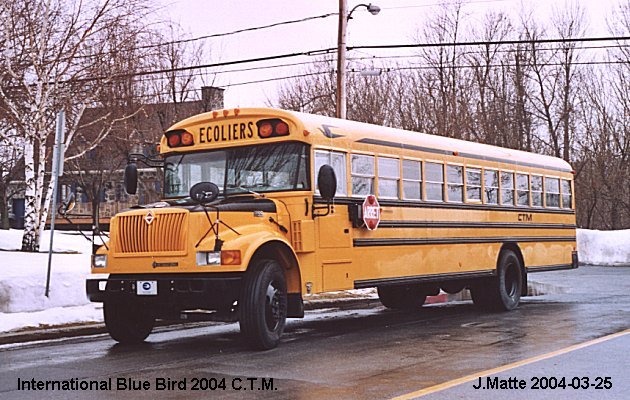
263, 206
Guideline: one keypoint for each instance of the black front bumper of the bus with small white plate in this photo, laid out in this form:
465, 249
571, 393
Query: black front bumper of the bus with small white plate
216, 291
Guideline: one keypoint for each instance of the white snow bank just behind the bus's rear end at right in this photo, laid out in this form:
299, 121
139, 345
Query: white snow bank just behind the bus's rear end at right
604, 247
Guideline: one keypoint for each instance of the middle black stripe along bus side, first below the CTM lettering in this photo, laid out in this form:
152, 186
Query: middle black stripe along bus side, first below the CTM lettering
457, 240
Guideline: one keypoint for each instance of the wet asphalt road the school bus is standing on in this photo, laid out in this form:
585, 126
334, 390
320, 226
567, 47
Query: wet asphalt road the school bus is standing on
366, 352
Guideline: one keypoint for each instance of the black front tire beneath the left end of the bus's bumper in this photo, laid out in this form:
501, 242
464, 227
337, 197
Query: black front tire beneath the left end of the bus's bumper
127, 323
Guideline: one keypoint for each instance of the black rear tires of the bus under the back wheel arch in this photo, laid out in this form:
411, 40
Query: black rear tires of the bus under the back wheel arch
503, 292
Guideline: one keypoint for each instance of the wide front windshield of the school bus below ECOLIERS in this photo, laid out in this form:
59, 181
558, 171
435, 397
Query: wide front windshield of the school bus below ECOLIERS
263, 168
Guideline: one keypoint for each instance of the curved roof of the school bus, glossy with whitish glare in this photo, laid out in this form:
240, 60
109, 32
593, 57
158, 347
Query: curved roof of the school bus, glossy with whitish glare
328, 131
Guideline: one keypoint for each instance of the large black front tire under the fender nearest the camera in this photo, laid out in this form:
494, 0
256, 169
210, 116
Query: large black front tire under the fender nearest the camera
263, 305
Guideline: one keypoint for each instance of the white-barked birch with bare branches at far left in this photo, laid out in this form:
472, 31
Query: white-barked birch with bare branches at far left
55, 56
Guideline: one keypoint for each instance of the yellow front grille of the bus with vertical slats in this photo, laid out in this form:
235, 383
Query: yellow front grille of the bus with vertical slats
164, 234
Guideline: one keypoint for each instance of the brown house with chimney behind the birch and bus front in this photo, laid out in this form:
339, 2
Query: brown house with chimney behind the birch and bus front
96, 178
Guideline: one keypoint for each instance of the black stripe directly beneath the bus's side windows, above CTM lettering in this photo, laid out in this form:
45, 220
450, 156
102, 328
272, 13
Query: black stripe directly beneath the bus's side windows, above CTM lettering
450, 206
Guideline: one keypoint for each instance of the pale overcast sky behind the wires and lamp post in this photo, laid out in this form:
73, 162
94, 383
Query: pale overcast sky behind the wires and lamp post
397, 23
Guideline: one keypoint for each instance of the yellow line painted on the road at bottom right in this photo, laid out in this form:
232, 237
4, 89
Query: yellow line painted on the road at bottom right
472, 377
